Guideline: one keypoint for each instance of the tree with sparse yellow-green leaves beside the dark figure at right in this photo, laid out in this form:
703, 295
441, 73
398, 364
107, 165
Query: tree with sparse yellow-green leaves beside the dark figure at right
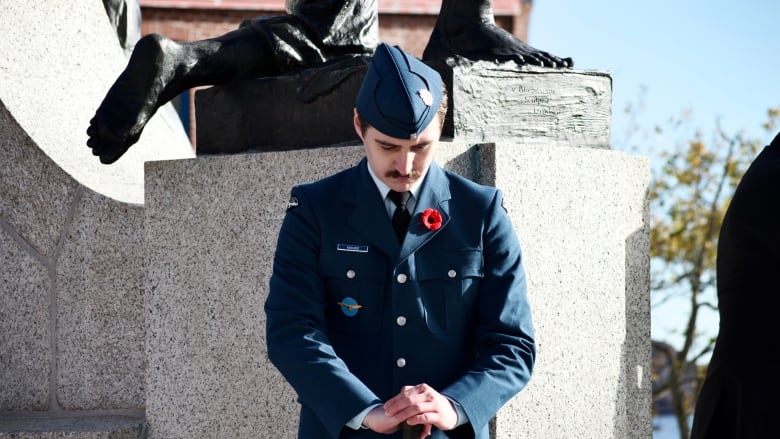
690, 189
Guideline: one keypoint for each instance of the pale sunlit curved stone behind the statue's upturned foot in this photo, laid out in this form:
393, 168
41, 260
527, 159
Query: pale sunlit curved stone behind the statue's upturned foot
56, 63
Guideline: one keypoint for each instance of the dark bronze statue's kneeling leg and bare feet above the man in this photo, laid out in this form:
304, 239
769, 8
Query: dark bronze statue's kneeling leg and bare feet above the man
312, 33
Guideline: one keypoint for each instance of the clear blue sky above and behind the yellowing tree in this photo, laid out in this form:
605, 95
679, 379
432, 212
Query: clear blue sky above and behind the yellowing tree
710, 59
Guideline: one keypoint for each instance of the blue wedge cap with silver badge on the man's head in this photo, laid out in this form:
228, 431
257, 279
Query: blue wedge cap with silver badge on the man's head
400, 94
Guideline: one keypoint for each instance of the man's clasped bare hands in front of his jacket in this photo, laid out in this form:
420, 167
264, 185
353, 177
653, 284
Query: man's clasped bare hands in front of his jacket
415, 405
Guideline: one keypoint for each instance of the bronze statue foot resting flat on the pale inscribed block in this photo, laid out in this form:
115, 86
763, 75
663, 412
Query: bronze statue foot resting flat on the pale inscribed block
483, 41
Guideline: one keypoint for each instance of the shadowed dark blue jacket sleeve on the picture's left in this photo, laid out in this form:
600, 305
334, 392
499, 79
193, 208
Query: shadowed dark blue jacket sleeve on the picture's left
295, 324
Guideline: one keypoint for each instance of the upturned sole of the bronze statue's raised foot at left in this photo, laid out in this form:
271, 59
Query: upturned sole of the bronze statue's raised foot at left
130, 102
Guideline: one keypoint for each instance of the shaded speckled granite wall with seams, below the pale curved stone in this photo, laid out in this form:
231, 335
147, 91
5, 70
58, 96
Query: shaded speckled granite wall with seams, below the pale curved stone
71, 291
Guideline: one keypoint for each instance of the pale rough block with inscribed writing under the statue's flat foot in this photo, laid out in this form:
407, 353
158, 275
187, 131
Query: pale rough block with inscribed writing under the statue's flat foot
531, 105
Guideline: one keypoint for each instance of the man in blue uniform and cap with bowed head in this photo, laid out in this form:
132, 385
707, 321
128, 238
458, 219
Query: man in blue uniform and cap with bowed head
383, 332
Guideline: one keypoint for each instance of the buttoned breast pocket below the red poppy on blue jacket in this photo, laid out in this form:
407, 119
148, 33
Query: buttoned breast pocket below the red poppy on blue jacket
449, 283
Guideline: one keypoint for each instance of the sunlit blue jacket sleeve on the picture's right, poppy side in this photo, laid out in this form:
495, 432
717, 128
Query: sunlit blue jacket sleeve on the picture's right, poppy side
504, 334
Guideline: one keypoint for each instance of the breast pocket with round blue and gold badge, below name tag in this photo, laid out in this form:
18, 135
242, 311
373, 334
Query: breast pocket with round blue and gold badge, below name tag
354, 292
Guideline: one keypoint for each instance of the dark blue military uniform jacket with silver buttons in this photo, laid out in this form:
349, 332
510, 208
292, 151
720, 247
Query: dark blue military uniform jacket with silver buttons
352, 315
